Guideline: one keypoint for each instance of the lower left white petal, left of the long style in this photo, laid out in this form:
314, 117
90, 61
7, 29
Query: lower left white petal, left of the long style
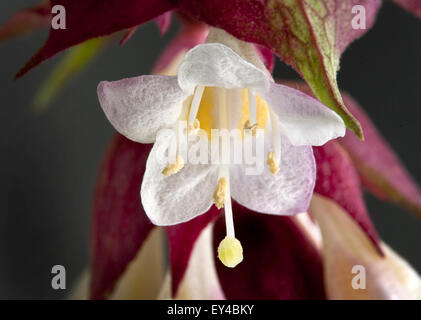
180, 197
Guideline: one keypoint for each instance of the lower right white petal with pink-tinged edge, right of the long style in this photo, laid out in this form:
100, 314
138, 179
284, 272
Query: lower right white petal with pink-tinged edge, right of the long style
286, 193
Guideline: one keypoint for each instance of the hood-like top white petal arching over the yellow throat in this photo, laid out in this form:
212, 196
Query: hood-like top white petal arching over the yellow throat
216, 65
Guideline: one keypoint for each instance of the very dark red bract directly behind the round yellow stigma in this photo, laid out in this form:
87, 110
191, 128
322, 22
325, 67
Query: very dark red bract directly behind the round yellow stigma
279, 261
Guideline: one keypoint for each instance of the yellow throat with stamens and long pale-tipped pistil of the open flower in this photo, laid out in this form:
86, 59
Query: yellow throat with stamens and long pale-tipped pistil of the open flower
225, 109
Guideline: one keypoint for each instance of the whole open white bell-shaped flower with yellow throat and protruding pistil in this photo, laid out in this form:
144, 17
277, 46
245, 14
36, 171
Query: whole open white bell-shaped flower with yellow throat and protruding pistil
215, 88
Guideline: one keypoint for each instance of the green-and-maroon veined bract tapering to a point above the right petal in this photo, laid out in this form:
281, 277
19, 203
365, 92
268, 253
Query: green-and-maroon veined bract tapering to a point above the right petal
314, 33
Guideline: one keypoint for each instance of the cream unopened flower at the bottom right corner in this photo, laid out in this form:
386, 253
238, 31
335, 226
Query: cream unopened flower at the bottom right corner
353, 267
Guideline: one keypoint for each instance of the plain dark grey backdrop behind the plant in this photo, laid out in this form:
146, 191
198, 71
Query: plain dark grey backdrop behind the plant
49, 162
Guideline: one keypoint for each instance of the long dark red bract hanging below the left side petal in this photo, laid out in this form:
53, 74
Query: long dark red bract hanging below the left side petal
120, 225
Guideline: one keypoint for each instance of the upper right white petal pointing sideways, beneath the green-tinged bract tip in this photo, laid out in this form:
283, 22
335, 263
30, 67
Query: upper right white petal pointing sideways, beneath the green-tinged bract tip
304, 120
